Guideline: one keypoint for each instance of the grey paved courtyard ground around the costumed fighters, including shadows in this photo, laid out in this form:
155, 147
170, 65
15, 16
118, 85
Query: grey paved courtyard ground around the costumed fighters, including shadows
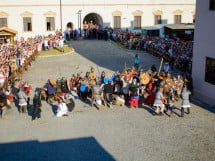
118, 134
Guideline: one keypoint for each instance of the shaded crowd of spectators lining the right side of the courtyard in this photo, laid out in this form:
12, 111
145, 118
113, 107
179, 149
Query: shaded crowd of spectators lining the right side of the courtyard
178, 53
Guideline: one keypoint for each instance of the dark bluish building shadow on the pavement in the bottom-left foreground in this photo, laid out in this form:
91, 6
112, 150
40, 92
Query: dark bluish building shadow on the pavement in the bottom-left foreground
80, 149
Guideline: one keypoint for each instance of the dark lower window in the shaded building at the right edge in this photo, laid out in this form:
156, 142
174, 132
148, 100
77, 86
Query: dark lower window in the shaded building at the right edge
210, 70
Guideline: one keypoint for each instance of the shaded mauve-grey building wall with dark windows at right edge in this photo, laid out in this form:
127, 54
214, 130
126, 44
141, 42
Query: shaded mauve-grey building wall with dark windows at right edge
204, 51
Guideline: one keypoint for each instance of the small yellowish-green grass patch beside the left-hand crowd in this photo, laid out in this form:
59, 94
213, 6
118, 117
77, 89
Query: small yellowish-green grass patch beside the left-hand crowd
55, 51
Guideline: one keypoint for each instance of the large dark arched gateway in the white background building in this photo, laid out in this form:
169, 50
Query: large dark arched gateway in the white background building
93, 18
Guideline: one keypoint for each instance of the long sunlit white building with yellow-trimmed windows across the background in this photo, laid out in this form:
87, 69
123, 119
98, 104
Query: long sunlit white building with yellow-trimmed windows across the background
36, 17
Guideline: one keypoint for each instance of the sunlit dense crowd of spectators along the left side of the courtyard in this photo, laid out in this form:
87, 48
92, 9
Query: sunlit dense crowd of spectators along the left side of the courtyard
20, 52
